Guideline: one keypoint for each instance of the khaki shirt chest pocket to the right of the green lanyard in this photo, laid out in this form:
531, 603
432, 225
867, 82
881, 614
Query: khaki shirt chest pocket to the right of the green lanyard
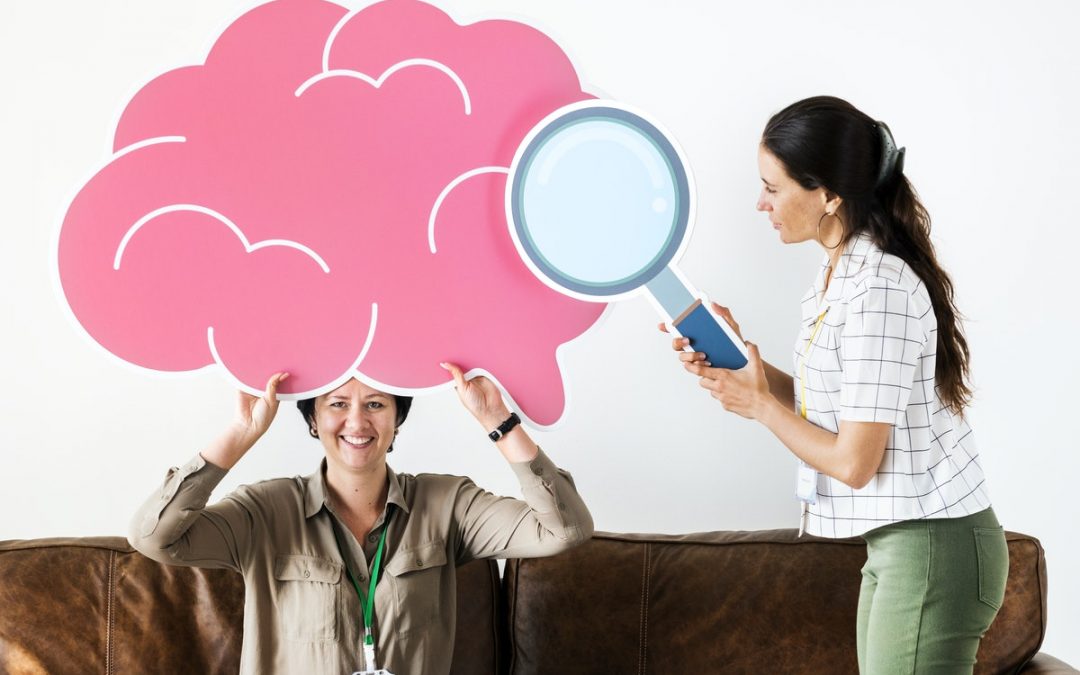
417, 576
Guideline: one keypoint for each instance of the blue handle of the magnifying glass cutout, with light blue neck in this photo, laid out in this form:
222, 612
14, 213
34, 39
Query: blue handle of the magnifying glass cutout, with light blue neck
693, 320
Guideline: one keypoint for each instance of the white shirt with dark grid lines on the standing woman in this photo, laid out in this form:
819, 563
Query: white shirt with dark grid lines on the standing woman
873, 361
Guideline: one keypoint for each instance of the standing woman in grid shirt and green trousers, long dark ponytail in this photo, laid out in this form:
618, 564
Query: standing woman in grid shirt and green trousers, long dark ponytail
875, 409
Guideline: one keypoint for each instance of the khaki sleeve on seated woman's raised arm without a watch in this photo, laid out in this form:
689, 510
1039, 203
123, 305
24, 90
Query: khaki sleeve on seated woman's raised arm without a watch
174, 525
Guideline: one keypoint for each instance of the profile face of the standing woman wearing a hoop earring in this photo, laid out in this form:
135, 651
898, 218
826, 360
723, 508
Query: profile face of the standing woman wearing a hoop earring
793, 210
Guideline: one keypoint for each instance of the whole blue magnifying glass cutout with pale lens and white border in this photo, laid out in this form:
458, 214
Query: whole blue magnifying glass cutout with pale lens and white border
600, 205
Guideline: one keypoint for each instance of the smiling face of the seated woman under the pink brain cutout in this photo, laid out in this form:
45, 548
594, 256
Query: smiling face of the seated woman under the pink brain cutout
356, 425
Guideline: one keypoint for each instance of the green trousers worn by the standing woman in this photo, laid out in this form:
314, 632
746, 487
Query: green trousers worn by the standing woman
930, 591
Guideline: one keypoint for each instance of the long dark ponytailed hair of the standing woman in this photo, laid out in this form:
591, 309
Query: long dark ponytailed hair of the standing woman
827, 143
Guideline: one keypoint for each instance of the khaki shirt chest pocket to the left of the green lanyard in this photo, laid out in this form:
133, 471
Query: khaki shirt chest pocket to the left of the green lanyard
307, 592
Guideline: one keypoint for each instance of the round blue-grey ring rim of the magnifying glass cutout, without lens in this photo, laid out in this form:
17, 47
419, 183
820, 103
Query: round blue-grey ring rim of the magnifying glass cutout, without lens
574, 115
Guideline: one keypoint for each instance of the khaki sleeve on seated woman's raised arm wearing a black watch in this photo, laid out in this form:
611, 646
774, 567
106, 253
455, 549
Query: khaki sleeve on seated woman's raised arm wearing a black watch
551, 519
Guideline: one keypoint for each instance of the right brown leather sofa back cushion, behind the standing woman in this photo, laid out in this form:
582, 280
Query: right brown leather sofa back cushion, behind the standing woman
764, 602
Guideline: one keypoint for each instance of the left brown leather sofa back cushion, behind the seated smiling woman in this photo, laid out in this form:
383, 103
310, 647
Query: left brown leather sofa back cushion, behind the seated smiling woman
93, 605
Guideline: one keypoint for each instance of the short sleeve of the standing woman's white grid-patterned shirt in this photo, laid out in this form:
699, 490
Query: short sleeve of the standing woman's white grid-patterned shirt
881, 346
